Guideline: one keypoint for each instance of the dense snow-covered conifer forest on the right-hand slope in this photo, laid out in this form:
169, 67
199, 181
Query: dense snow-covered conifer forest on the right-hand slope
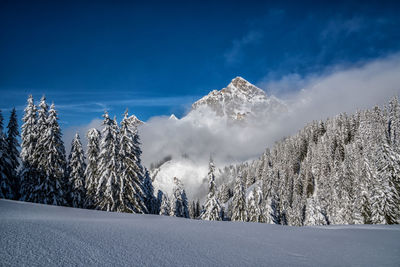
345, 170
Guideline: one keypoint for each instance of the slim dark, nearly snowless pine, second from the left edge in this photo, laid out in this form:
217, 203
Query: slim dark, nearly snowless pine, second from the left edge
13, 154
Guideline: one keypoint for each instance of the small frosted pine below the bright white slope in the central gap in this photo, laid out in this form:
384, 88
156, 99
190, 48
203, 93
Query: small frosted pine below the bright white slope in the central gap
179, 203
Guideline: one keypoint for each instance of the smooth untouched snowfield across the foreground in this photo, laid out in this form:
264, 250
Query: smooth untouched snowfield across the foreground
41, 235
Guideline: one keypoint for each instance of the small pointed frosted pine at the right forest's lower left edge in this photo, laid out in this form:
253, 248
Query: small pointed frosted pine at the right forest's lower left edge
239, 212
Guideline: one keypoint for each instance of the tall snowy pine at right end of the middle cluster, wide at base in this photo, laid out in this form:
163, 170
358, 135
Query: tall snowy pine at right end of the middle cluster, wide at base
136, 185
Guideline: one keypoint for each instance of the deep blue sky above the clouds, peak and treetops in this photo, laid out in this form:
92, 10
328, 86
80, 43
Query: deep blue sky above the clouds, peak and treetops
156, 58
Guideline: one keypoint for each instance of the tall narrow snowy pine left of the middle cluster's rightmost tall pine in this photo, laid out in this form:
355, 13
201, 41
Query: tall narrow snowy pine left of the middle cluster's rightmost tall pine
108, 190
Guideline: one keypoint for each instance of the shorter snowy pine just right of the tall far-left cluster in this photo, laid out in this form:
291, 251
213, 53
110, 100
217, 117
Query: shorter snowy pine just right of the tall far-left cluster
76, 172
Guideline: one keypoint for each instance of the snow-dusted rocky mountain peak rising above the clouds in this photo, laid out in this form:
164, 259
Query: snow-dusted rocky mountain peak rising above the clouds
239, 100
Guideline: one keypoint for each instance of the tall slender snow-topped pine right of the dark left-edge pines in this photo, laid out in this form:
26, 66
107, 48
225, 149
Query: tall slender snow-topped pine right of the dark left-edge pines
29, 136
